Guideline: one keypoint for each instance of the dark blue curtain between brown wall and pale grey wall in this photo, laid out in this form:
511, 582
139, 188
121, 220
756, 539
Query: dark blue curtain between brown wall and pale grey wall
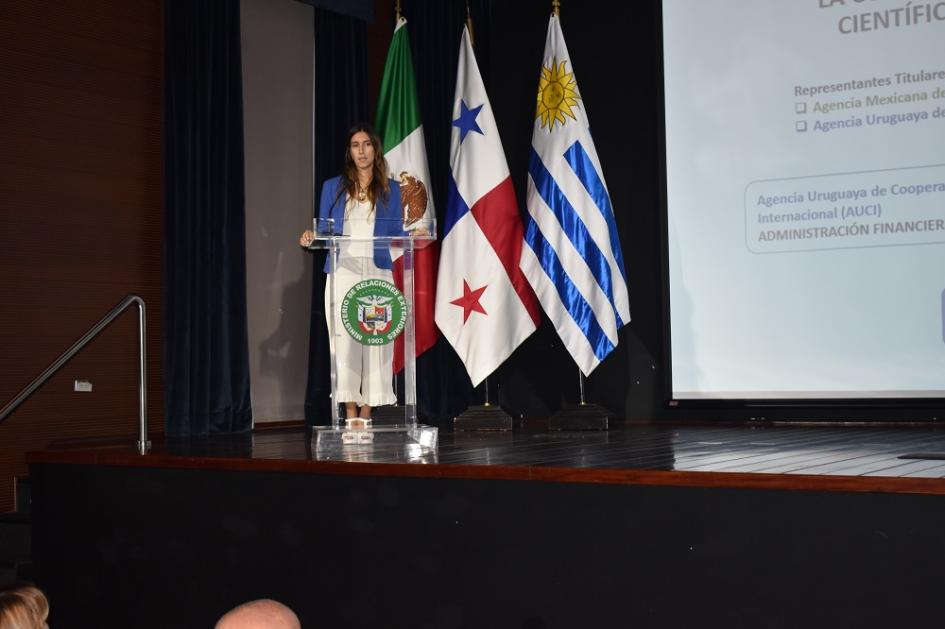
205, 328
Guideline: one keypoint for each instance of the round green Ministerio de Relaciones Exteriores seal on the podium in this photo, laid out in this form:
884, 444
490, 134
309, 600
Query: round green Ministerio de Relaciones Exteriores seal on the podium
374, 312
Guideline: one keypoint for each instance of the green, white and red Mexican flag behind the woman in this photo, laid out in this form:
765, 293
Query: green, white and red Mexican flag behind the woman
398, 123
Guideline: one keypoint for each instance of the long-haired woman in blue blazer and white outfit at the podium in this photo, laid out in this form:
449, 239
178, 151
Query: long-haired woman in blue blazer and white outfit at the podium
366, 204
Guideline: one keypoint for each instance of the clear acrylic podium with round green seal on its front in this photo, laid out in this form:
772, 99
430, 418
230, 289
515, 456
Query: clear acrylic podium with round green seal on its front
366, 313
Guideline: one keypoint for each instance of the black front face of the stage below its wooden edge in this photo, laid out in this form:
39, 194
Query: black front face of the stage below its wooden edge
375, 551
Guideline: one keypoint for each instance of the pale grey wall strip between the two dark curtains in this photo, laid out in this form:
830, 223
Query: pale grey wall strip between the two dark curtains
277, 48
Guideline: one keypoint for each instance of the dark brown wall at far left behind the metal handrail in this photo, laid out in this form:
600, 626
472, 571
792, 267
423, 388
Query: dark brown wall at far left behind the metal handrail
81, 91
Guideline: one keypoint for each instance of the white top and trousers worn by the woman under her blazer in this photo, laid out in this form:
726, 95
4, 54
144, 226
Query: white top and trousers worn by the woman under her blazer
364, 373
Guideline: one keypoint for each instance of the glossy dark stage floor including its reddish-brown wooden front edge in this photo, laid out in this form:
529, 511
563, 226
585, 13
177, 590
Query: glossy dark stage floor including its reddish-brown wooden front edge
898, 459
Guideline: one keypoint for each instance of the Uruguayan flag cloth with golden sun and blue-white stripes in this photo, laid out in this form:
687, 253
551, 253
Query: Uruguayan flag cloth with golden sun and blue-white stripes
572, 253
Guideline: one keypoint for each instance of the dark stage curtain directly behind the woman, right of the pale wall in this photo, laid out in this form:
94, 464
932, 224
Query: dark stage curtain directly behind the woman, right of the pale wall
340, 102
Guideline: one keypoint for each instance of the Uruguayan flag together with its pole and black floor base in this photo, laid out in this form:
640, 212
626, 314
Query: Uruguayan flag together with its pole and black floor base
561, 105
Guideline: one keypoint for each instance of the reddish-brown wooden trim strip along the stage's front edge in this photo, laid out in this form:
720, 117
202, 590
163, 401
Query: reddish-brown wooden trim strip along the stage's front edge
550, 474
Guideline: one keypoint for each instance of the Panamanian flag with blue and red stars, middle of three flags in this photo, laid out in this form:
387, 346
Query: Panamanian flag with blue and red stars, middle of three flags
484, 305
